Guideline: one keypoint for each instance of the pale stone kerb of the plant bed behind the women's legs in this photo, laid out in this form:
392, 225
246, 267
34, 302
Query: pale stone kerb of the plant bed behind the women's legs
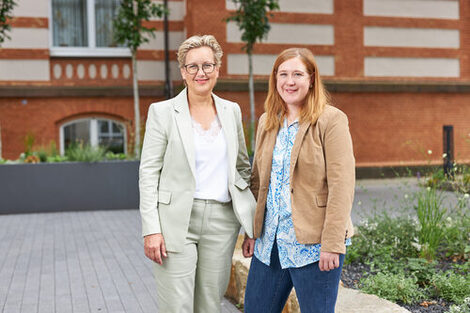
349, 300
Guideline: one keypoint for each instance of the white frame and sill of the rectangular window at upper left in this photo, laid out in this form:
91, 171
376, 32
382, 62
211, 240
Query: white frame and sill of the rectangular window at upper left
91, 50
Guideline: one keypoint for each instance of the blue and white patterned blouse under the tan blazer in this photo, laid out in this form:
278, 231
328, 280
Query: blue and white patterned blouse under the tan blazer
278, 223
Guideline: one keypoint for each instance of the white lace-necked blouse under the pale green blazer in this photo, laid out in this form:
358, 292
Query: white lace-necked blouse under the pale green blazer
211, 162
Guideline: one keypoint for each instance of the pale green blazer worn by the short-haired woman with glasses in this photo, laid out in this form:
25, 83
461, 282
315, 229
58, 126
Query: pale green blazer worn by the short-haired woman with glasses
167, 169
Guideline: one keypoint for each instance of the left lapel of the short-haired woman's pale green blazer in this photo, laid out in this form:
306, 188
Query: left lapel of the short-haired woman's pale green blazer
184, 123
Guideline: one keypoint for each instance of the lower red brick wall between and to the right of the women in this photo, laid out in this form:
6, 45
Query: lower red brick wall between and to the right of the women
393, 129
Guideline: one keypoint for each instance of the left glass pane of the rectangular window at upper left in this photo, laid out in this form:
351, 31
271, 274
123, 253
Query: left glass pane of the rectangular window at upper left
69, 23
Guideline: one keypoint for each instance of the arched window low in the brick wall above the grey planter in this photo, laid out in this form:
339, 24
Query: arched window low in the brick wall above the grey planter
96, 132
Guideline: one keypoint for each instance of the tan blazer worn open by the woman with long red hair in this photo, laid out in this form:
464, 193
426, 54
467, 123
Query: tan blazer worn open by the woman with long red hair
322, 178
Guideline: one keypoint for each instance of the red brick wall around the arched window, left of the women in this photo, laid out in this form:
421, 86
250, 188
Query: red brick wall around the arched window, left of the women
42, 117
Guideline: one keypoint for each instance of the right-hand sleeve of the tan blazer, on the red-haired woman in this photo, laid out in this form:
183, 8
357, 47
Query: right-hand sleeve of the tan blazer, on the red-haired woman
340, 173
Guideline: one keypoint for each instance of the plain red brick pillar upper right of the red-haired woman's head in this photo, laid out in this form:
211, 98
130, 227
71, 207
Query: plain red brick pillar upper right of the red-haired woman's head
349, 38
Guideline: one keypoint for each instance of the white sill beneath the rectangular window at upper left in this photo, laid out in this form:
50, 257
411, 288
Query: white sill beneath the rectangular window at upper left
89, 52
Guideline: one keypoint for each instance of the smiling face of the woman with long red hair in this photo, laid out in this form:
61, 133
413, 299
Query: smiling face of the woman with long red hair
293, 81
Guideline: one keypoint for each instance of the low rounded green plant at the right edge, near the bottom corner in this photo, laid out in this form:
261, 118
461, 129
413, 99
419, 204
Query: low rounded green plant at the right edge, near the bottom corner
451, 286
